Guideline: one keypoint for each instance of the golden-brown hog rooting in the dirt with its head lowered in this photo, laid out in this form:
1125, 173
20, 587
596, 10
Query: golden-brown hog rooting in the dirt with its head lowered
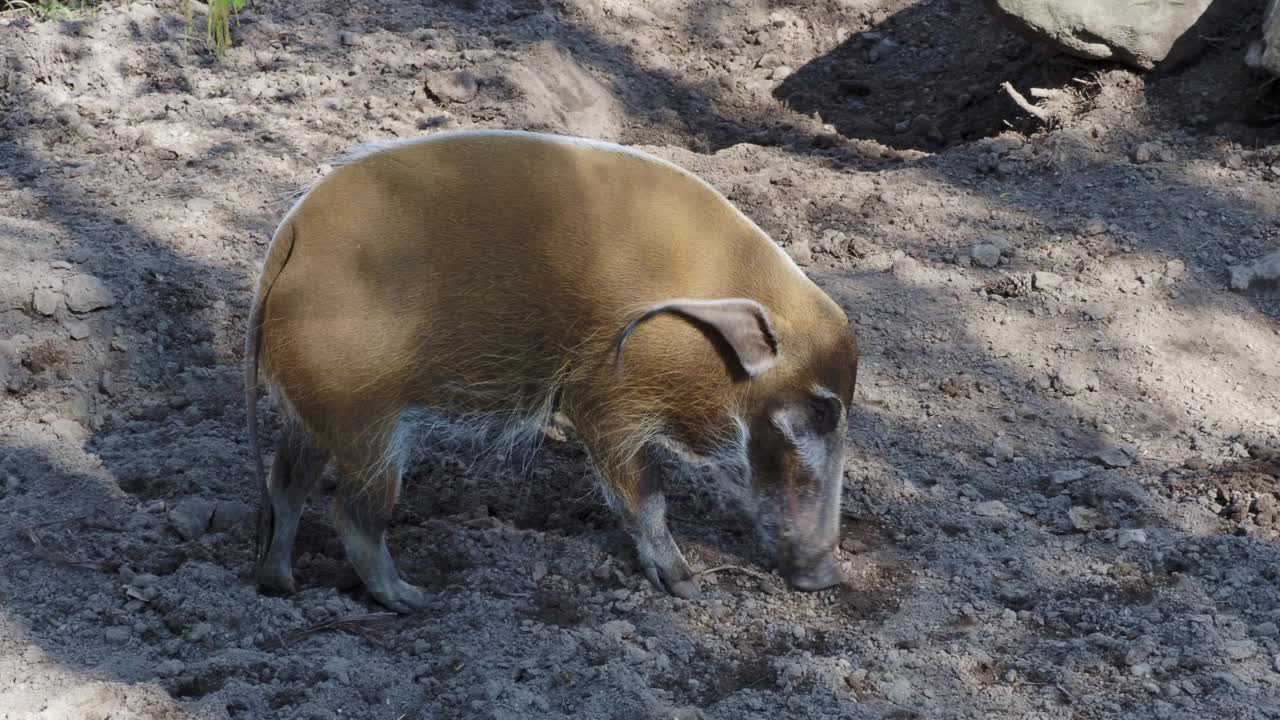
491, 279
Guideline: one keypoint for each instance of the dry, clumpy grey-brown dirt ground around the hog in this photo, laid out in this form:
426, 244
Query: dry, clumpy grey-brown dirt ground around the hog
1062, 487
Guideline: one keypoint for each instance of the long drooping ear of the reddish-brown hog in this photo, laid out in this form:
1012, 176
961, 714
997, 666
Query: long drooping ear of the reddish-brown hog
743, 325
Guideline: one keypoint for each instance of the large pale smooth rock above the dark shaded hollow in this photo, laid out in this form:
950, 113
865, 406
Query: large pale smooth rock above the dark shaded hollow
1139, 34
